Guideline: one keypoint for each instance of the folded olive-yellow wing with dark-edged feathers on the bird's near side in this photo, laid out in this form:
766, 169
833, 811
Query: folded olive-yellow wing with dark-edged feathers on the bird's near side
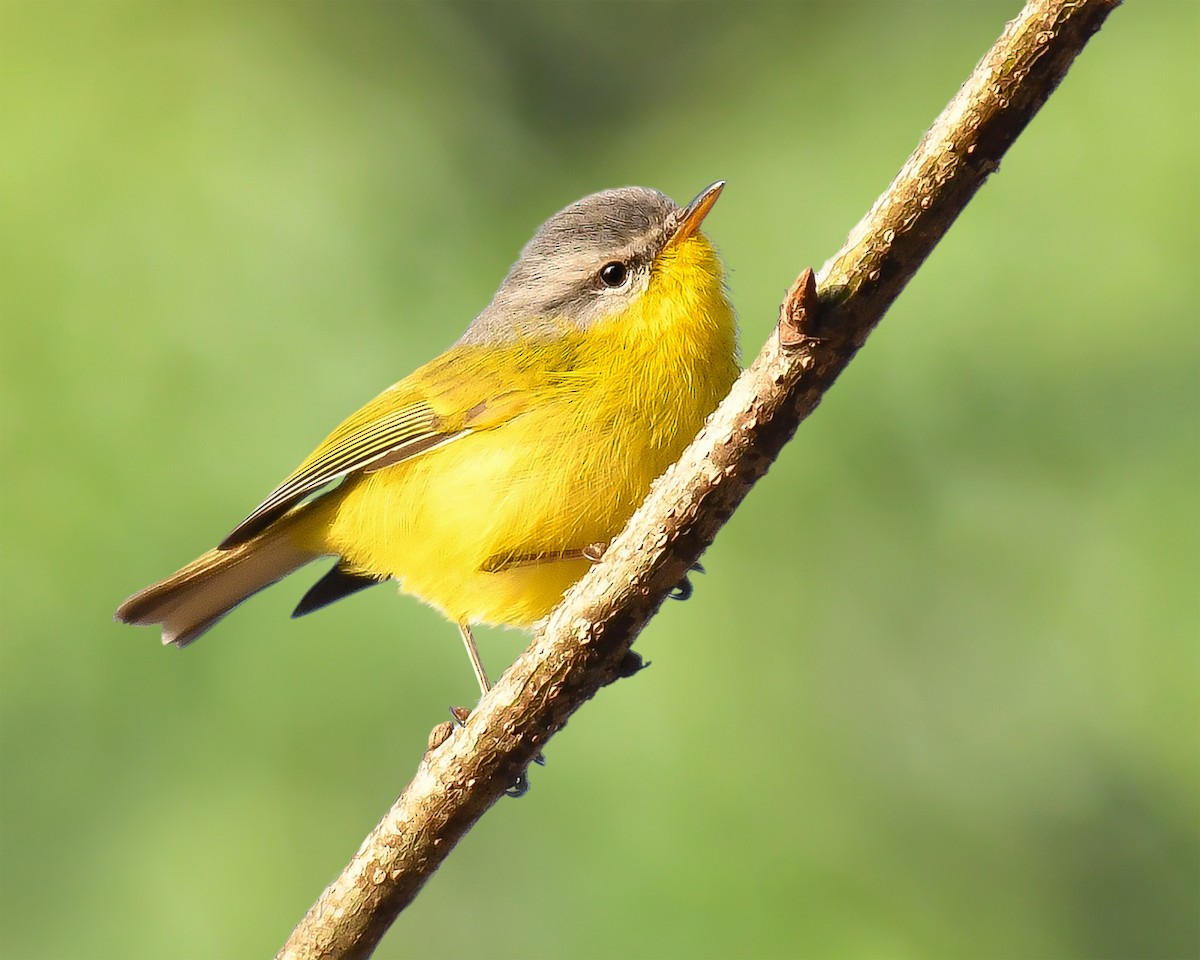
415, 417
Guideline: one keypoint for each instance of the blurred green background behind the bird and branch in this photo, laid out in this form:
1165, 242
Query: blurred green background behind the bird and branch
937, 697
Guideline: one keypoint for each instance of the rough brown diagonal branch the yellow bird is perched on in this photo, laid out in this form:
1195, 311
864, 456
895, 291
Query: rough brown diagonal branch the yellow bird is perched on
586, 643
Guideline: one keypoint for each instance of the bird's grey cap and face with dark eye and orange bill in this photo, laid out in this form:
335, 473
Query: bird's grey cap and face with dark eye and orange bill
587, 262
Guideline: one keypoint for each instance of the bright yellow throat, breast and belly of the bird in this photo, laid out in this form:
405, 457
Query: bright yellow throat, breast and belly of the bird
479, 527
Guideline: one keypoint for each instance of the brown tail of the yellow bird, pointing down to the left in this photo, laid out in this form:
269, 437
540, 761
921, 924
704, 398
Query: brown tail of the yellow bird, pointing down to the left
193, 601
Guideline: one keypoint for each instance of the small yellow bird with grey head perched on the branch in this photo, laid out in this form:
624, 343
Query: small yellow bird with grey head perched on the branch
490, 479
